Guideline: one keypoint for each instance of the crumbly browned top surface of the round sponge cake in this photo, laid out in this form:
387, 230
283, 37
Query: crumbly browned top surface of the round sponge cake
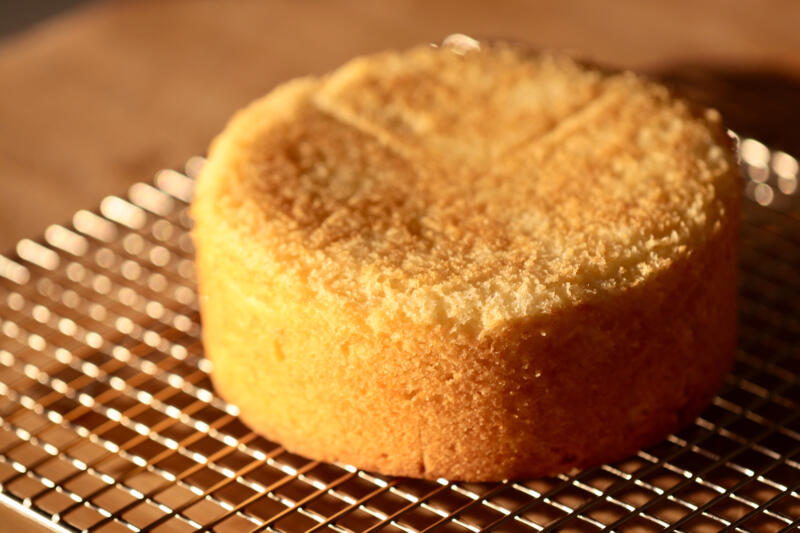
469, 188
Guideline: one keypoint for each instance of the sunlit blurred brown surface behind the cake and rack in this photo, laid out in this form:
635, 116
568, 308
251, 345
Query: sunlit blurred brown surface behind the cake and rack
107, 94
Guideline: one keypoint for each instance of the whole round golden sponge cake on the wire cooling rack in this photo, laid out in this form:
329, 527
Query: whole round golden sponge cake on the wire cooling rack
472, 264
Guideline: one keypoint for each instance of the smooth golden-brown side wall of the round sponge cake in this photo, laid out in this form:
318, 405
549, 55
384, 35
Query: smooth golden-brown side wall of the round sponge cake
543, 395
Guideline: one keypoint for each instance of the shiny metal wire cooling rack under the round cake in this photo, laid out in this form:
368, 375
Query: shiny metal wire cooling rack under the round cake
108, 420
